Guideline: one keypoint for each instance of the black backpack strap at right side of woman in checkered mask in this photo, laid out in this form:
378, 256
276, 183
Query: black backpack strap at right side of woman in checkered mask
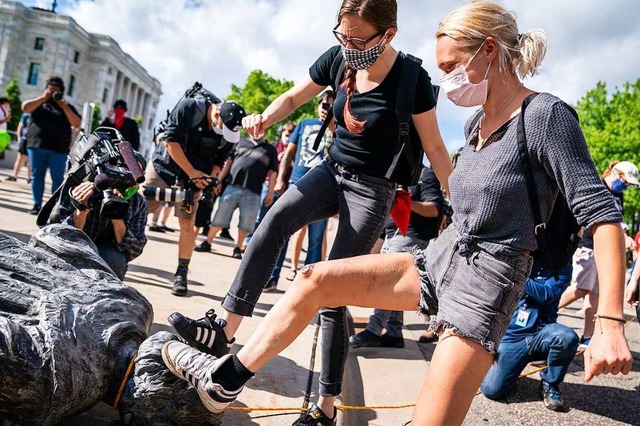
404, 108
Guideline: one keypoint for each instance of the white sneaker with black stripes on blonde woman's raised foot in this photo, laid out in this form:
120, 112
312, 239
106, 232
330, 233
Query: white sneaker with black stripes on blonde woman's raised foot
196, 368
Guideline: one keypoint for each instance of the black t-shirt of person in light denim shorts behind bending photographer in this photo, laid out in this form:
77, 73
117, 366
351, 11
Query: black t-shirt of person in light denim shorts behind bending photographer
251, 163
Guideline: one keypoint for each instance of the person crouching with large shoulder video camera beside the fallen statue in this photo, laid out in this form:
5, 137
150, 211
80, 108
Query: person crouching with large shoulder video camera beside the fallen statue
119, 241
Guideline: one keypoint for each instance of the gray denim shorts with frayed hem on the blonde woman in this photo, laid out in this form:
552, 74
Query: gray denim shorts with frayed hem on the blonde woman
471, 295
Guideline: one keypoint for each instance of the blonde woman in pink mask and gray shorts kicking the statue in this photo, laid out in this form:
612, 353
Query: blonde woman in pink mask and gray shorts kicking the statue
472, 276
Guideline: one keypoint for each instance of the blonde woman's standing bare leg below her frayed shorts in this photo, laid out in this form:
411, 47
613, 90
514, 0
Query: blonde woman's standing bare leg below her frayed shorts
456, 371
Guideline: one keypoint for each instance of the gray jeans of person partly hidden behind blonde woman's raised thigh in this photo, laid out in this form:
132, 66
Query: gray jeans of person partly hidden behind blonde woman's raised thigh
382, 319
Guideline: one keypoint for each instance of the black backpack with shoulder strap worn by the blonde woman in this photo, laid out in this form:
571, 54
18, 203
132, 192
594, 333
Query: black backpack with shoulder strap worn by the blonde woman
558, 238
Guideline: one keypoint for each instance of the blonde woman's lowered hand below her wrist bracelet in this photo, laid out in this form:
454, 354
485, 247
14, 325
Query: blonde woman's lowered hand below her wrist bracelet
608, 351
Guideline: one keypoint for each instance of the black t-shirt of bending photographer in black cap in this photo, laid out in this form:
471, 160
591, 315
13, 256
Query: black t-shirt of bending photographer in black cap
203, 146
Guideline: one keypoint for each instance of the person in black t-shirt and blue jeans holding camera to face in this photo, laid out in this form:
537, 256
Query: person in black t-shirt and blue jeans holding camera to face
49, 137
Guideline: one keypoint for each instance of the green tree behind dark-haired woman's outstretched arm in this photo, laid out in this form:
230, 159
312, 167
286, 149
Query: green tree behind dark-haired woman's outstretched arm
260, 90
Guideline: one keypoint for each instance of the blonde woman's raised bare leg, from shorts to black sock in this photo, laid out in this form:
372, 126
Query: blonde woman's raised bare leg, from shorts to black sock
385, 281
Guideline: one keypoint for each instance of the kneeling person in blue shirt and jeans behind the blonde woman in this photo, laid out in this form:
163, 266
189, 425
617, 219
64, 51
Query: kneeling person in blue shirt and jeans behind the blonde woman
534, 335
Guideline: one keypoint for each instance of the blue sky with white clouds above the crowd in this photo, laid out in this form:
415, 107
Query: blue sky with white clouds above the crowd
220, 43
